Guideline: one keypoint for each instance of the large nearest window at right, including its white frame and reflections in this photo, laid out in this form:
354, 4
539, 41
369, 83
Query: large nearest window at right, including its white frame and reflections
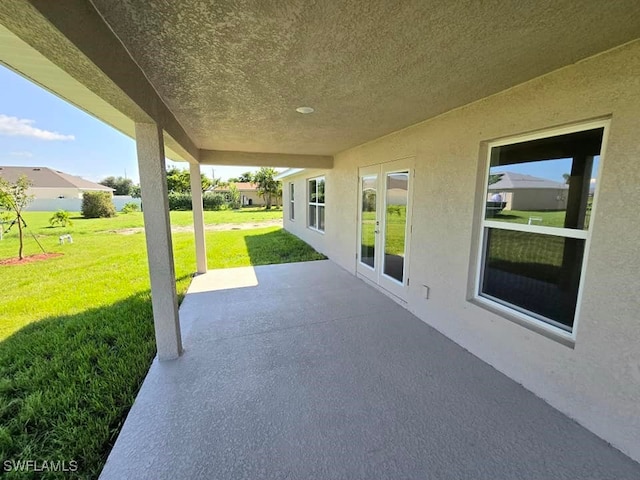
539, 195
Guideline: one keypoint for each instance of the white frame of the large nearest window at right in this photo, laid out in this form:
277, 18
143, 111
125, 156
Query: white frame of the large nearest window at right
512, 312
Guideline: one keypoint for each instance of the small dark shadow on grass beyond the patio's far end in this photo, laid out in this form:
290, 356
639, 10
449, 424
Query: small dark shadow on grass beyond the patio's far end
279, 246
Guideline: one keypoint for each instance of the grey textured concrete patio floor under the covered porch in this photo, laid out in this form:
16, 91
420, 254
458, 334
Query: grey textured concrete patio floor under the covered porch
302, 371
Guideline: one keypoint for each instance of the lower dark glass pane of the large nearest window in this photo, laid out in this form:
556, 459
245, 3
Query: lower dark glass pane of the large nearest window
538, 273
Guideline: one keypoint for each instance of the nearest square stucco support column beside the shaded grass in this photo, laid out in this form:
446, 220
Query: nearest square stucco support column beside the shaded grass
155, 203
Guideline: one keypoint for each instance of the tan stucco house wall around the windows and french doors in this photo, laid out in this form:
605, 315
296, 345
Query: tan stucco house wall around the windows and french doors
597, 382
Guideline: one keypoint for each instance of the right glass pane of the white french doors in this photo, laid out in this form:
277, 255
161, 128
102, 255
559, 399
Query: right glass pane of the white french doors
397, 186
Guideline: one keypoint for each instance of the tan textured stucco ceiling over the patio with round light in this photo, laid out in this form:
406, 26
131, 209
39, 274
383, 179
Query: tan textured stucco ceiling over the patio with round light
233, 71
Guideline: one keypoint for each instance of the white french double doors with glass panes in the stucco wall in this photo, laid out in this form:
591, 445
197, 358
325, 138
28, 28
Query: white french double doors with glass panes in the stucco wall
384, 224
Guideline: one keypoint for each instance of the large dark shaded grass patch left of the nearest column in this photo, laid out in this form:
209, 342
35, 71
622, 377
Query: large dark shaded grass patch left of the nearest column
67, 383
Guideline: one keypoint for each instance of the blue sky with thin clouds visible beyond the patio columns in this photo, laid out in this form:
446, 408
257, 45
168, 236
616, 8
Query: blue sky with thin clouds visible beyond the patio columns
39, 129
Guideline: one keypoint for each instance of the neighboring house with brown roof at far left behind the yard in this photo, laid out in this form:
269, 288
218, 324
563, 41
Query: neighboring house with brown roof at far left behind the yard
53, 189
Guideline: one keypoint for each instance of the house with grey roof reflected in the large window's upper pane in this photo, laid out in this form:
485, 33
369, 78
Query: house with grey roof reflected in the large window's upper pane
526, 192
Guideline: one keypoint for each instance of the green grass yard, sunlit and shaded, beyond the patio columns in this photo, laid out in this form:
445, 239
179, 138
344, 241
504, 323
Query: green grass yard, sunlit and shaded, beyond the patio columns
76, 332
